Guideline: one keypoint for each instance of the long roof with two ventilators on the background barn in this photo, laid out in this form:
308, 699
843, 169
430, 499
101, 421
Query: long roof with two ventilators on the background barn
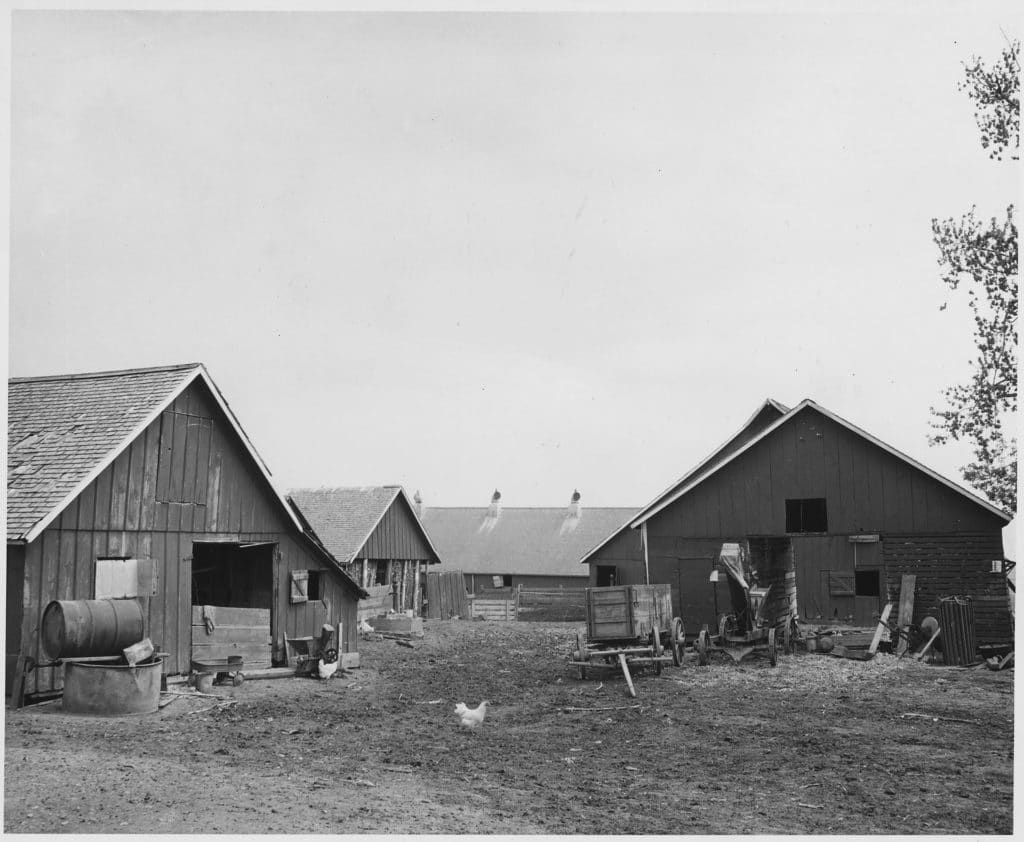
520, 541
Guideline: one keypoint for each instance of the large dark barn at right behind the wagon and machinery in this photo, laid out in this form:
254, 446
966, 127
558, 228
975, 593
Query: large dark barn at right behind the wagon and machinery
832, 514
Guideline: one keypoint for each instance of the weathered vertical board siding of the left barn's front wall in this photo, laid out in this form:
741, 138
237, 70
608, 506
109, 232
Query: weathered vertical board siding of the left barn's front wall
121, 514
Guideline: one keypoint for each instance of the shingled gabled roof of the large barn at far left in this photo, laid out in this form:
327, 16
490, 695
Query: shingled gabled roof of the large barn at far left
63, 432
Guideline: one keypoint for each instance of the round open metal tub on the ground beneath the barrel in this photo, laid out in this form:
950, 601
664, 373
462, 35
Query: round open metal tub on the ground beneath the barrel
112, 689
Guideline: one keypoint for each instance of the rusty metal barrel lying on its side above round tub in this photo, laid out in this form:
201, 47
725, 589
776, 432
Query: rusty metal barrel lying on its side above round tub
83, 628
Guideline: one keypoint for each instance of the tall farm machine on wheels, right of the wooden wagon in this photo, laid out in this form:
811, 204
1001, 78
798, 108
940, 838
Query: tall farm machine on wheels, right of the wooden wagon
752, 625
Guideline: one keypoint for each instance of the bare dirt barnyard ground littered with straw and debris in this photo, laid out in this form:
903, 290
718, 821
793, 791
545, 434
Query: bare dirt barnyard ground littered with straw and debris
817, 746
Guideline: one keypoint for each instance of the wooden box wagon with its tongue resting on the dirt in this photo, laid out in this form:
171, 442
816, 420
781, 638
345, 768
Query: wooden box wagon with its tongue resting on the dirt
629, 625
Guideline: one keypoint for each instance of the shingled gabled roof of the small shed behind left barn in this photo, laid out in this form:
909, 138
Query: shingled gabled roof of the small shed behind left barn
346, 518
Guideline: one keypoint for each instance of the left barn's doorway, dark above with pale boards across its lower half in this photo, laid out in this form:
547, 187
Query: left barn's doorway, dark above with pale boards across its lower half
232, 602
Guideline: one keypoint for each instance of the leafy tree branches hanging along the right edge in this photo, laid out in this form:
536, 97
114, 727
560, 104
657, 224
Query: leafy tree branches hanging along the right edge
984, 257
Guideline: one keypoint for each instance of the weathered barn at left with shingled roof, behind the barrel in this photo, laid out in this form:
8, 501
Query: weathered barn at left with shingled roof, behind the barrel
142, 484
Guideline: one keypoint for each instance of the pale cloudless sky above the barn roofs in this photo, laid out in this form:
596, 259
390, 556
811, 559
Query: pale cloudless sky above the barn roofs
534, 252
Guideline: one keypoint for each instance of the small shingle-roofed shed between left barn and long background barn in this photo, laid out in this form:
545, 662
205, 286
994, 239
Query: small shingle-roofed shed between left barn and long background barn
374, 532
